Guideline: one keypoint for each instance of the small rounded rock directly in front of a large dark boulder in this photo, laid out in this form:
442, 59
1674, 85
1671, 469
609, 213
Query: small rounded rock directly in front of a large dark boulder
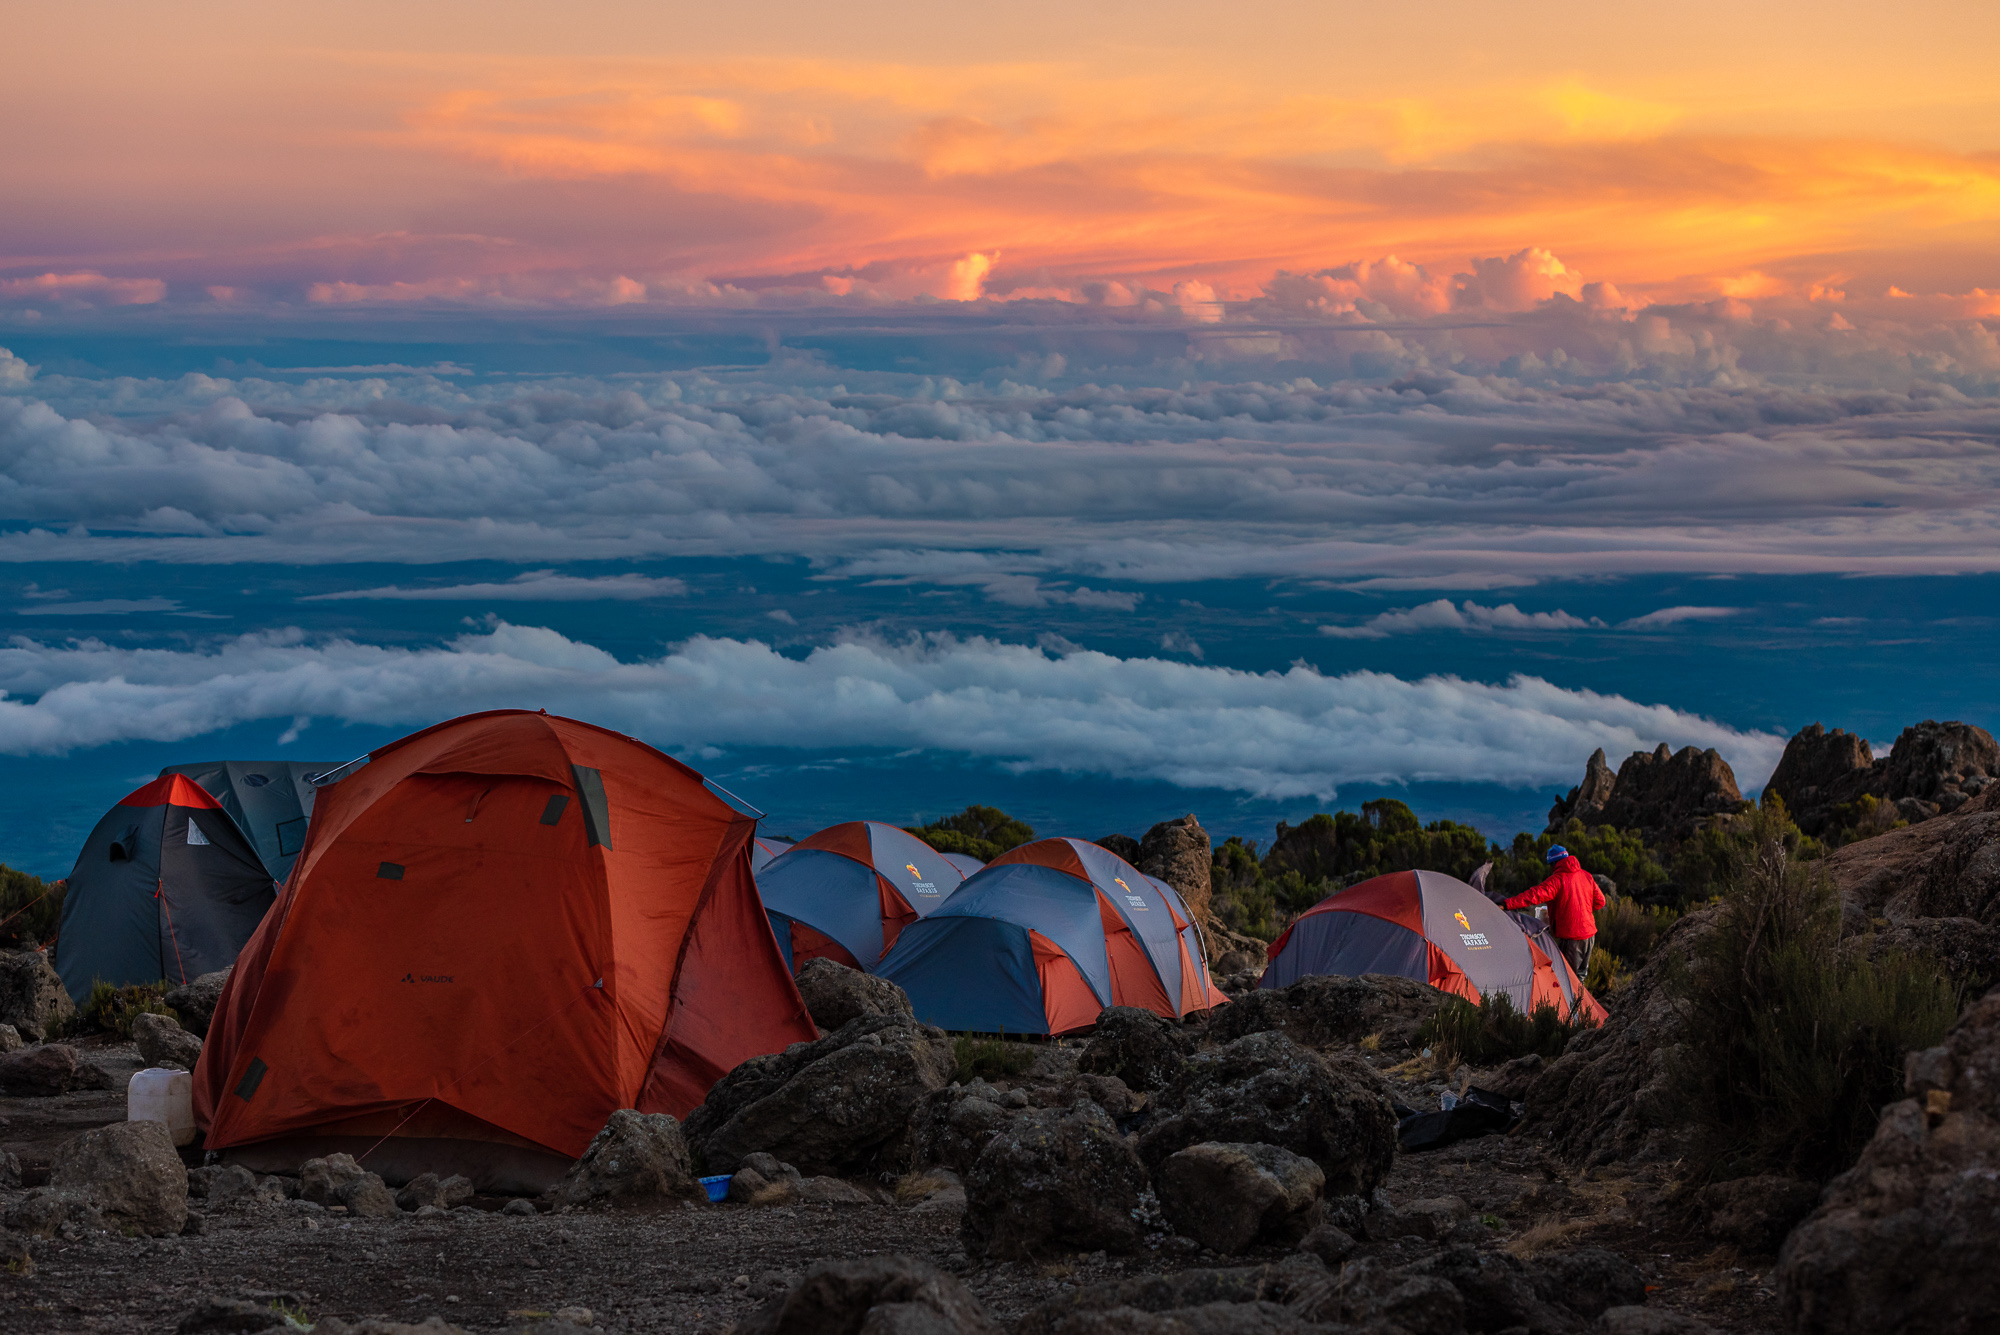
1229, 1198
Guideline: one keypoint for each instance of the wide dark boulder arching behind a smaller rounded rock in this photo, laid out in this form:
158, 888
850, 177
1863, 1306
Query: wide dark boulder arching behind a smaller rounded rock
1269, 1090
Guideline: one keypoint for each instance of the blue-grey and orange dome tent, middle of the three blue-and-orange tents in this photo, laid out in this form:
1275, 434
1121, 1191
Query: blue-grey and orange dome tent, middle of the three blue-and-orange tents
1049, 936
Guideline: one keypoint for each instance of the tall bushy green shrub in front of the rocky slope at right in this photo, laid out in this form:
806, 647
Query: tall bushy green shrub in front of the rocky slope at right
1801, 1042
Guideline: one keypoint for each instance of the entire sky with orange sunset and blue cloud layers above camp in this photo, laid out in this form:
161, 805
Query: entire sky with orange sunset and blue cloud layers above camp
1103, 413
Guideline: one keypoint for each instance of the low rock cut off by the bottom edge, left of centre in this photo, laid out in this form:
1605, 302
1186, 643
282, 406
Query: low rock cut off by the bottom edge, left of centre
881, 1296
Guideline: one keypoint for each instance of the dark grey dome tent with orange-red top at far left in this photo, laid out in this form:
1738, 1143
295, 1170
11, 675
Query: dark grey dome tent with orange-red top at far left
167, 888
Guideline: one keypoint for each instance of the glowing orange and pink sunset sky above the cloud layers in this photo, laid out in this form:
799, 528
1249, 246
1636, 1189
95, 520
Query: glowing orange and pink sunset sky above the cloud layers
611, 153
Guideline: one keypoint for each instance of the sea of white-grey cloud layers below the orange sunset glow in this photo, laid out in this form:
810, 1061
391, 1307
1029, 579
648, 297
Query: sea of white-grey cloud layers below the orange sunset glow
1369, 437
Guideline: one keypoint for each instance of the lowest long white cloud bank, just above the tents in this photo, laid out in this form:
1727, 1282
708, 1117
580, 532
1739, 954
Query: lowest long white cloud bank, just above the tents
1273, 734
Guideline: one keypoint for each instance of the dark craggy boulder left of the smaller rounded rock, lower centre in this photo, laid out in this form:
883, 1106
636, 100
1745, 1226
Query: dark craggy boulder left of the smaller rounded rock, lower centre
1055, 1182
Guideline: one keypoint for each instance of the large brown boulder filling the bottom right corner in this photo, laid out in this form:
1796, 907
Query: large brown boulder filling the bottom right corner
1905, 1240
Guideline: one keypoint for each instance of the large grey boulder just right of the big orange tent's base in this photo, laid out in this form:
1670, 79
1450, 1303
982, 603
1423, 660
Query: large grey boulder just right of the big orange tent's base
841, 1106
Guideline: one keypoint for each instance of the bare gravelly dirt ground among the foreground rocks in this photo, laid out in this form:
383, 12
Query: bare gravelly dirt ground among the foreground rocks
699, 1268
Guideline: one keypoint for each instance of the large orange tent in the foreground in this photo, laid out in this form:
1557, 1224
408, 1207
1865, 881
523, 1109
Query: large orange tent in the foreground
501, 930
